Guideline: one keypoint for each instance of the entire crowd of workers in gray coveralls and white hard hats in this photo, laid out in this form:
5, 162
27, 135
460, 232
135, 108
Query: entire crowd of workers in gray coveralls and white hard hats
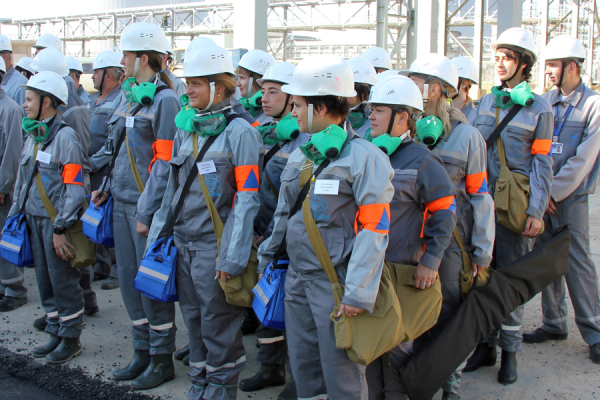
391, 167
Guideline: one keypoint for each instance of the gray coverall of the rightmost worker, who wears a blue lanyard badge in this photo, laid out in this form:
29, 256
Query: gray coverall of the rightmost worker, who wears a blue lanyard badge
575, 178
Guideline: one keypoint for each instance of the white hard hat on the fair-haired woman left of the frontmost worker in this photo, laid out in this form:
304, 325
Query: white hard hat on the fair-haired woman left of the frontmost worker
204, 61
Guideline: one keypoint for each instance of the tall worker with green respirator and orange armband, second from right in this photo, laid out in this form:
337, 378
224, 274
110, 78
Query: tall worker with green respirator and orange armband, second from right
527, 141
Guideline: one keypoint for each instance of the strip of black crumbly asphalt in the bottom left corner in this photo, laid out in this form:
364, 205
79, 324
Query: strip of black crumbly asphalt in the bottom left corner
64, 381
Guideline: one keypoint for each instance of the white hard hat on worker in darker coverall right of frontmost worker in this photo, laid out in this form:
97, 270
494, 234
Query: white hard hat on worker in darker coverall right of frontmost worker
397, 91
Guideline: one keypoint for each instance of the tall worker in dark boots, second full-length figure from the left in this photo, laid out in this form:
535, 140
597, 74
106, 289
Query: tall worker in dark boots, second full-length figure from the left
138, 188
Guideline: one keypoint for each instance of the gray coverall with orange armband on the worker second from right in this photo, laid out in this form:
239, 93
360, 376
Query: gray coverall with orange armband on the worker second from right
527, 139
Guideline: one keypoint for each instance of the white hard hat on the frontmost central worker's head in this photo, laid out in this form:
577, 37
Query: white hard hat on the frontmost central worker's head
322, 75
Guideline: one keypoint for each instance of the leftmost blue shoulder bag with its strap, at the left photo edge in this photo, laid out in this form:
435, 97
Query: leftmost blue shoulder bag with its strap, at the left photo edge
15, 246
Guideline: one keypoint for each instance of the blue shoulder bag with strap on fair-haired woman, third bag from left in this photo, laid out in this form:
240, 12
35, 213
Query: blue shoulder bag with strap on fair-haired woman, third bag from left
156, 276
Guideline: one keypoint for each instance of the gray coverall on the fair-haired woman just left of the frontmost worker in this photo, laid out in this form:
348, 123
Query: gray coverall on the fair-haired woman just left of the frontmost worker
216, 349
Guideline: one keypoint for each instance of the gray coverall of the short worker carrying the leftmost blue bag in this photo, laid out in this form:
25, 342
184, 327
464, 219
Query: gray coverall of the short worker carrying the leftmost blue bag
58, 281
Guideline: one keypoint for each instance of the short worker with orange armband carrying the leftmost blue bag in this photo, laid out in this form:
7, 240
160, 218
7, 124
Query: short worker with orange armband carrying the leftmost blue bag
54, 150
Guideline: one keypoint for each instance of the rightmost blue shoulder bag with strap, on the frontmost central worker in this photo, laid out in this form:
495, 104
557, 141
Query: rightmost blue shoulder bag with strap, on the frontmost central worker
269, 293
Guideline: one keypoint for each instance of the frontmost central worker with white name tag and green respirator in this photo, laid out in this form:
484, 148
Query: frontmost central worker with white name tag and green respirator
322, 370
